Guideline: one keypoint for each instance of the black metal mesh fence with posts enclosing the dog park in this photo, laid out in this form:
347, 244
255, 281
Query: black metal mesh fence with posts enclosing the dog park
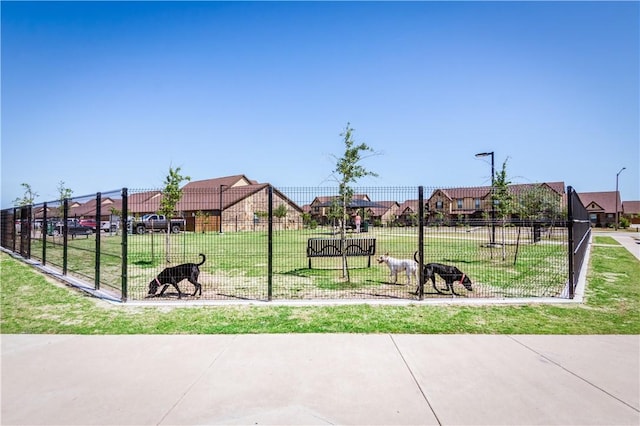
265, 243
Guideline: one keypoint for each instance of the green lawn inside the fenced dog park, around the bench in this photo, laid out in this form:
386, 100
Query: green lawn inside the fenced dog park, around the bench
237, 263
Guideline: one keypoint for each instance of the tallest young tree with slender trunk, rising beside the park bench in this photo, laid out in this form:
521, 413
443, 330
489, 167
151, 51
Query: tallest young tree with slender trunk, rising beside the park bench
348, 170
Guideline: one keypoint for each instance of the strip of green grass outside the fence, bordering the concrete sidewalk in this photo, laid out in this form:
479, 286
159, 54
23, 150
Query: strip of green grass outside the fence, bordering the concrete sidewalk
32, 303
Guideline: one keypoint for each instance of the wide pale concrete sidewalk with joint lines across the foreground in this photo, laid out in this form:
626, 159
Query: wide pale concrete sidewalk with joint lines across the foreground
320, 379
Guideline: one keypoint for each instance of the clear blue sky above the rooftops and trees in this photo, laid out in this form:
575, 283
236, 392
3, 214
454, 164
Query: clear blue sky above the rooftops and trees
105, 95
